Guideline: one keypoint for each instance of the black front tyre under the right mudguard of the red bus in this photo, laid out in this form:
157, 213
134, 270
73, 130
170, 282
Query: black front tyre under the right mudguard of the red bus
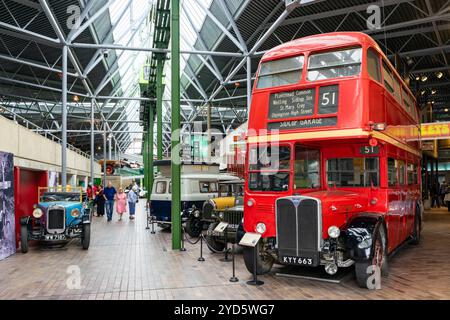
379, 259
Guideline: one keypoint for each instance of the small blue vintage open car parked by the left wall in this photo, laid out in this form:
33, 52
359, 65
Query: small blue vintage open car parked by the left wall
56, 219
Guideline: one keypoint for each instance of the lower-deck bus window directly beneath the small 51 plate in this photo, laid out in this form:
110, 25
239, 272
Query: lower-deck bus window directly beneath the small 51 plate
353, 172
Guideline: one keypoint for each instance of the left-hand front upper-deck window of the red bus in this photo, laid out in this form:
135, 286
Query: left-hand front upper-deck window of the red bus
280, 72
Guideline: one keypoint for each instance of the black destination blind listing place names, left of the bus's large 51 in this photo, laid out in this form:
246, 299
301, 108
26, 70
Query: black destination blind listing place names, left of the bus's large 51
292, 104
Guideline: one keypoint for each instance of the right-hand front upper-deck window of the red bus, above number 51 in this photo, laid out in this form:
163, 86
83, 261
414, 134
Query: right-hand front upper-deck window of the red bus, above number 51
342, 63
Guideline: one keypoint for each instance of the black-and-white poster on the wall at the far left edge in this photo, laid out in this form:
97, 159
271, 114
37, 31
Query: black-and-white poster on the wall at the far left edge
7, 222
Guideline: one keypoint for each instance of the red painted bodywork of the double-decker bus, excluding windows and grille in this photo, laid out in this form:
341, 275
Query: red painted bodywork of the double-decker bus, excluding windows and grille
363, 103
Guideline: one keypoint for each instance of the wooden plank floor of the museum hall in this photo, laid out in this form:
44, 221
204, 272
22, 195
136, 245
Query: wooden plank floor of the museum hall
125, 261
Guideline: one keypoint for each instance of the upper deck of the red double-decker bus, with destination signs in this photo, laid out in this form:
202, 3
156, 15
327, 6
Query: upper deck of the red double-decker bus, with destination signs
342, 81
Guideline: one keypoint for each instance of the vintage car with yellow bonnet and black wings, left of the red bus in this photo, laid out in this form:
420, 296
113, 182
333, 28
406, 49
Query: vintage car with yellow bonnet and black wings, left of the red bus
228, 207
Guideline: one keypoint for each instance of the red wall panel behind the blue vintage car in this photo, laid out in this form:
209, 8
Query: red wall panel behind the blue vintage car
26, 183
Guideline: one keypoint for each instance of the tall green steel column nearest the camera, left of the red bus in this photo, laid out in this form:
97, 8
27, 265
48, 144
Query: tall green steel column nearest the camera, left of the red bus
175, 152
